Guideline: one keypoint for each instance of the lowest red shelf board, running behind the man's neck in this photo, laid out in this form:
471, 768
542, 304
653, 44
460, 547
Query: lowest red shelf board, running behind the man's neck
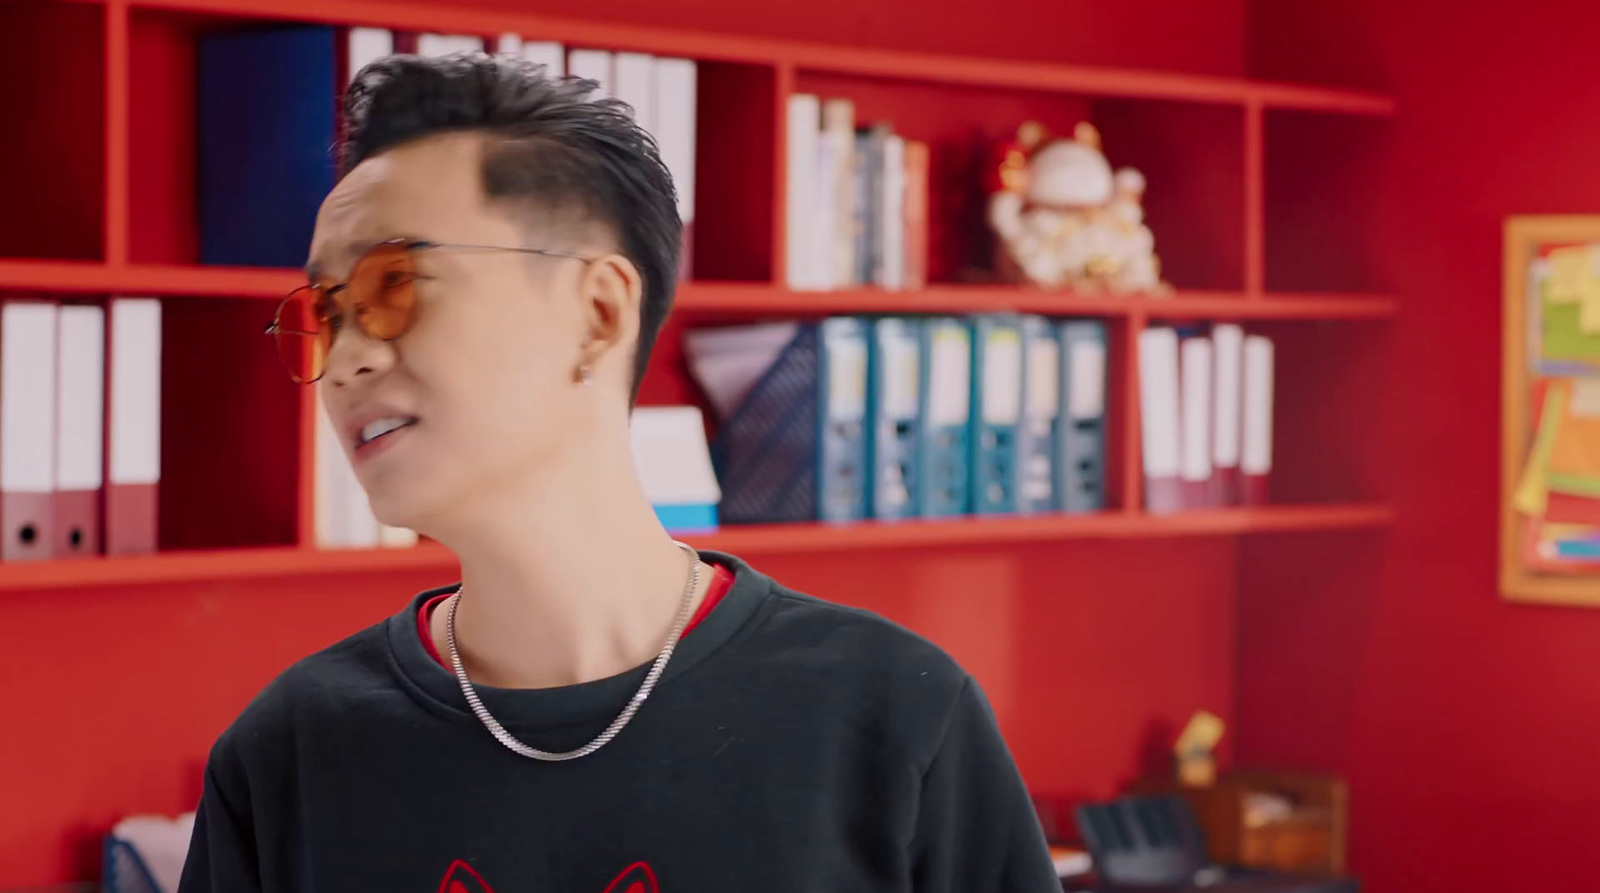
751, 542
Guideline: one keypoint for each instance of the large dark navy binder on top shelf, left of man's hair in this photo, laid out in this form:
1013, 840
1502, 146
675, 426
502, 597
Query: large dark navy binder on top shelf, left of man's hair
268, 114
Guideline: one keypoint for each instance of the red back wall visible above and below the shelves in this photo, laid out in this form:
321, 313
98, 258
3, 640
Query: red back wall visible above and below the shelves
1092, 654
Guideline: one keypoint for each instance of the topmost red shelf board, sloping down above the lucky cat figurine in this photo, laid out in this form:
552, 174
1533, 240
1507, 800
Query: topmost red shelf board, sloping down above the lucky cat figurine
802, 55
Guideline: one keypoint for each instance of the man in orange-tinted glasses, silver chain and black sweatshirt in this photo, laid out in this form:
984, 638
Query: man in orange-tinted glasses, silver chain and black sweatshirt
594, 708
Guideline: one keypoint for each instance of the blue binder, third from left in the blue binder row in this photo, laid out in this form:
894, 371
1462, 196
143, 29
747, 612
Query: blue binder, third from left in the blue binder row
946, 414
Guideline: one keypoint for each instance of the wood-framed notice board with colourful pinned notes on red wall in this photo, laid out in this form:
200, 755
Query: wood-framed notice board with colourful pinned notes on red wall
1551, 412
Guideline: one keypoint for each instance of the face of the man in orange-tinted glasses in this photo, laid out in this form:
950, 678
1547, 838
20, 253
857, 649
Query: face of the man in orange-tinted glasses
486, 369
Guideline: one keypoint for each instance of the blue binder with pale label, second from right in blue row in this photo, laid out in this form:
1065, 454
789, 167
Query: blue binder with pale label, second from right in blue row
1036, 439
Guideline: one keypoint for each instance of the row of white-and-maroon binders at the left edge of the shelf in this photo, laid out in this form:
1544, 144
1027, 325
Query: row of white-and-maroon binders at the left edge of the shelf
81, 428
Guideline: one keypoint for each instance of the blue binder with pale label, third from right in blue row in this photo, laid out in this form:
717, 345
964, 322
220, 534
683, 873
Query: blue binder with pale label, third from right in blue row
998, 410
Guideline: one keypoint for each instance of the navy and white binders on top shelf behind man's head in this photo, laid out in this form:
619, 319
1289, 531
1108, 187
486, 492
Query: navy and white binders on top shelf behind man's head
265, 166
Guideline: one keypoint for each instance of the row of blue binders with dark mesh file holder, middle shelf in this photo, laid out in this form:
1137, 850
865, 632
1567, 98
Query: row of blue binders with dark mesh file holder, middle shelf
905, 417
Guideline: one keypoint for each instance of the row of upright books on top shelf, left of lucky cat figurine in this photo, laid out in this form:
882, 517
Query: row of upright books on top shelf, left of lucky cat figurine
857, 201
